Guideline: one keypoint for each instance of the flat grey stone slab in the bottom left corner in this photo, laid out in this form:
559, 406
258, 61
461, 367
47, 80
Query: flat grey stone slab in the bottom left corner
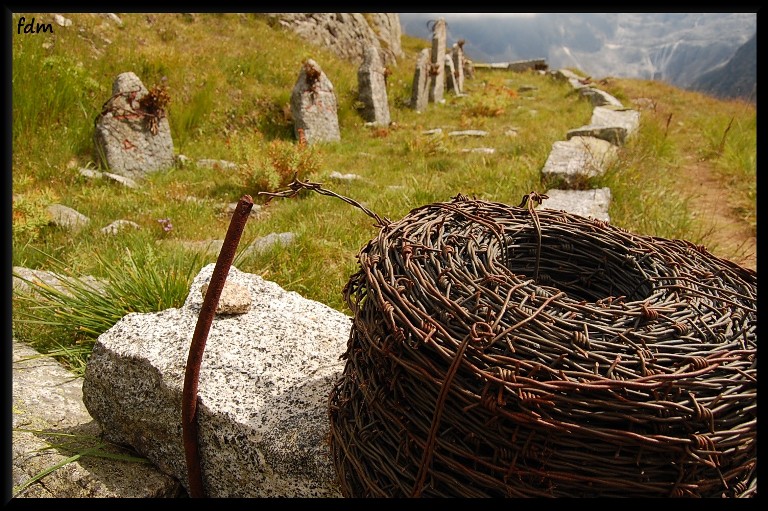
50, 424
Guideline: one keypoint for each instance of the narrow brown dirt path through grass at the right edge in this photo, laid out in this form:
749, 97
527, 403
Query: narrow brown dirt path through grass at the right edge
731, 238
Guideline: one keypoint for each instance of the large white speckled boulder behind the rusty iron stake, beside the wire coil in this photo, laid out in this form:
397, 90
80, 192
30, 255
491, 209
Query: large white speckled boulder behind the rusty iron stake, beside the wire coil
262, 398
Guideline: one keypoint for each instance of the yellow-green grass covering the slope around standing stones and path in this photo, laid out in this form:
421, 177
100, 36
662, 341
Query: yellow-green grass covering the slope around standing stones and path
230, 87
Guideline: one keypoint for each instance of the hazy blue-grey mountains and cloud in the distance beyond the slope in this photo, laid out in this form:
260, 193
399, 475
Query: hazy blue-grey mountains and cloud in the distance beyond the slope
699, 51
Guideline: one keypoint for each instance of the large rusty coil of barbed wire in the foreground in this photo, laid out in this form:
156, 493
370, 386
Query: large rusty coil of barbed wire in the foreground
502, 351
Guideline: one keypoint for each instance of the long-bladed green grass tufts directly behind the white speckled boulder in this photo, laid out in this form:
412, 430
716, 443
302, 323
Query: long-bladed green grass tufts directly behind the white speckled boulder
65, 321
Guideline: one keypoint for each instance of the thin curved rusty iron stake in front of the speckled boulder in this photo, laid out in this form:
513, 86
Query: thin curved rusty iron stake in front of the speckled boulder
203, 326
